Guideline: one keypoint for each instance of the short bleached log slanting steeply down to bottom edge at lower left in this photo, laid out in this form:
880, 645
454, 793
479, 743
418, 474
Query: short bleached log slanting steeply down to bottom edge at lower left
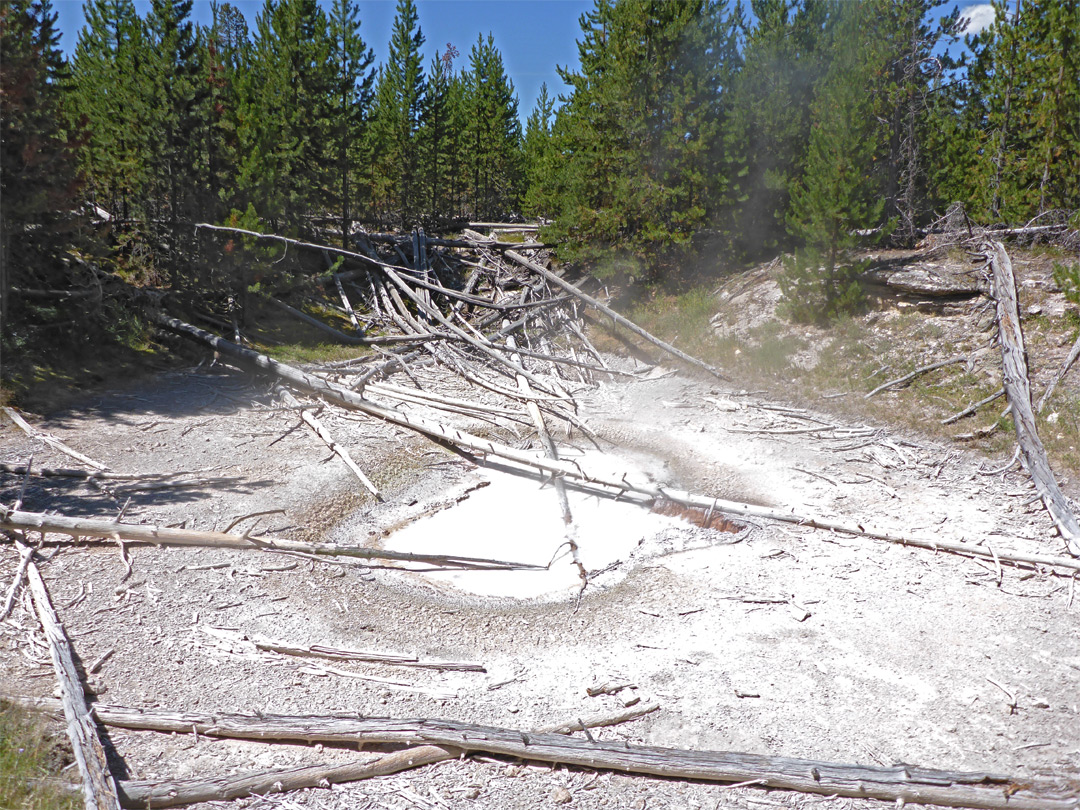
99, 789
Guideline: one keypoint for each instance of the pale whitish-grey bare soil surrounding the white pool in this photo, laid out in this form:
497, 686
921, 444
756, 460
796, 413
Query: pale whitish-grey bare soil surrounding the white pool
856, 651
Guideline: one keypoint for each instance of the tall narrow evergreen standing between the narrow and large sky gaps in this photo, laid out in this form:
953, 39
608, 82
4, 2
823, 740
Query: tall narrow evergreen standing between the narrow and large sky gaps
399, 102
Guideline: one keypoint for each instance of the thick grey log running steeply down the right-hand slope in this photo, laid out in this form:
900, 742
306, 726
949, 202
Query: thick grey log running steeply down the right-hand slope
1019, 391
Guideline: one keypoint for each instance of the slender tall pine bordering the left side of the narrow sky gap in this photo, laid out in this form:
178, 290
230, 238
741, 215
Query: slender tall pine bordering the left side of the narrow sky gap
353, 97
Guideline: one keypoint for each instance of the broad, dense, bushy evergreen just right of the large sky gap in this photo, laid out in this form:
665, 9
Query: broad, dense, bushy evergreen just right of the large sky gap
638, 137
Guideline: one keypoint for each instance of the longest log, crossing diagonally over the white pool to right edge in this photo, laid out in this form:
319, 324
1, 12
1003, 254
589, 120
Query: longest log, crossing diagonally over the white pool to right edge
604, 482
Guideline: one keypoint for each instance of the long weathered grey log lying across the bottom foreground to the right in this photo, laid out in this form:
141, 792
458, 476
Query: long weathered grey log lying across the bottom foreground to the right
901, 784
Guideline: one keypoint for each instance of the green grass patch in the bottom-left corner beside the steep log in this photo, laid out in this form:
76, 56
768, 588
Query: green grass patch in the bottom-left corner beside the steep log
30, 759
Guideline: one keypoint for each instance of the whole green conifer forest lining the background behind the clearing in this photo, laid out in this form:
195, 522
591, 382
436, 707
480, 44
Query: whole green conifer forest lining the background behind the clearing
691, 131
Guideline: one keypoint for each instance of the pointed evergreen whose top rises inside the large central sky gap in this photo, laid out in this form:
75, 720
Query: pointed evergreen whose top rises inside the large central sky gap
493, 139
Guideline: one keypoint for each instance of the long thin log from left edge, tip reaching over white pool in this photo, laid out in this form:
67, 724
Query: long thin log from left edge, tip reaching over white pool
154, 535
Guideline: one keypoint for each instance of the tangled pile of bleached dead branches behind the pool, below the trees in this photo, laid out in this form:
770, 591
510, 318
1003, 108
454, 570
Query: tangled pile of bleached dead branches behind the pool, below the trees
488, 310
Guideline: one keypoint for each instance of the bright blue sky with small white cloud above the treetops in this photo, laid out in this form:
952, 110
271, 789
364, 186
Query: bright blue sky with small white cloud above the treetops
534, 36
